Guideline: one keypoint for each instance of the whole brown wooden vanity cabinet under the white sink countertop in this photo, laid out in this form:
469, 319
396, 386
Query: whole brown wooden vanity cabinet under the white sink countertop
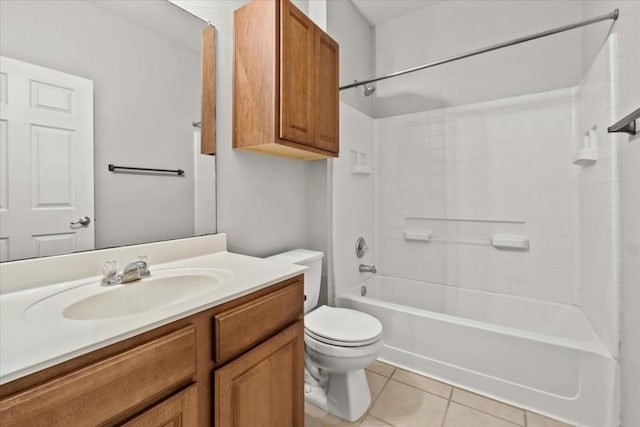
165, 377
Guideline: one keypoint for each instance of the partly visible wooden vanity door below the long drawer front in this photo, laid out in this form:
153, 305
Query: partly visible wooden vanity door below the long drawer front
179, 410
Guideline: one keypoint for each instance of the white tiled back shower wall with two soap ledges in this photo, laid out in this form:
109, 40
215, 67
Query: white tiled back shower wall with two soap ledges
505, 160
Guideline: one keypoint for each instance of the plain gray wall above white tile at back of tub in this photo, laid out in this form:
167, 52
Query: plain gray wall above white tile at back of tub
449, 28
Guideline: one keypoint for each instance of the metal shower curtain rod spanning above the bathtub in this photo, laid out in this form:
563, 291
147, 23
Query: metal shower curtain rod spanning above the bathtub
611, 15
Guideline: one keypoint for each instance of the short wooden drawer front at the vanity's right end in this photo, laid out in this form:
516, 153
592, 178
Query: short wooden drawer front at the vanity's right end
239, 328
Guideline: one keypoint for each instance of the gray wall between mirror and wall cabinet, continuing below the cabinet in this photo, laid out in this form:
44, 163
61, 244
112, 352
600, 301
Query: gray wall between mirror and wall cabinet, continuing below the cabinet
263, 201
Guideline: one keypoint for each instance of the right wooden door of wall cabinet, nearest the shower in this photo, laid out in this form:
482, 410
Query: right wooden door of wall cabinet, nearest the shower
327, 92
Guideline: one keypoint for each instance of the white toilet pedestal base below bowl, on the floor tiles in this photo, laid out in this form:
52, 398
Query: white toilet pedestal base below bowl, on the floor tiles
346, 395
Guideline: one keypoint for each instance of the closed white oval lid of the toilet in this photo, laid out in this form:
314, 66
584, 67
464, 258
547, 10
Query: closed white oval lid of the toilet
342, 326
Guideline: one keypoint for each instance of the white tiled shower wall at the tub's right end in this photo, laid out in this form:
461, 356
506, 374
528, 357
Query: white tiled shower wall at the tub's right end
599, 192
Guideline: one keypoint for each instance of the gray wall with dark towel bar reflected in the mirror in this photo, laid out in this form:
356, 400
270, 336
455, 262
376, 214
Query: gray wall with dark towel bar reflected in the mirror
147, 93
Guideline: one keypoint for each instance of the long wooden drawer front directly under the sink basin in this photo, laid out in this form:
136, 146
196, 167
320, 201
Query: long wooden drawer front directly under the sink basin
103, 390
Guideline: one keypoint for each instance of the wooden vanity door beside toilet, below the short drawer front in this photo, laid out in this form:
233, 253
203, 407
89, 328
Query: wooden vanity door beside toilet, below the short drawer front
263, 387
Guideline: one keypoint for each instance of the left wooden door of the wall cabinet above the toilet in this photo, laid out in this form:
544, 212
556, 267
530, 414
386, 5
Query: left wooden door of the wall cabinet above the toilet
297, 73
